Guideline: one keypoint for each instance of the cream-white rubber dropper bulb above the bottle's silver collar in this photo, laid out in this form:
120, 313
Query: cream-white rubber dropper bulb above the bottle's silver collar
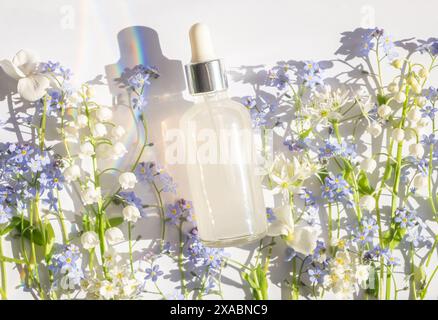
200, 41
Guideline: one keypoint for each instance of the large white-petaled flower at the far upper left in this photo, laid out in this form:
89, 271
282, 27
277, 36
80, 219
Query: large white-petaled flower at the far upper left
32, 85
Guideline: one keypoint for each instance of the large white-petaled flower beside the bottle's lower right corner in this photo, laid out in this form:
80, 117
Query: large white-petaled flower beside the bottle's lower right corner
302, 239
